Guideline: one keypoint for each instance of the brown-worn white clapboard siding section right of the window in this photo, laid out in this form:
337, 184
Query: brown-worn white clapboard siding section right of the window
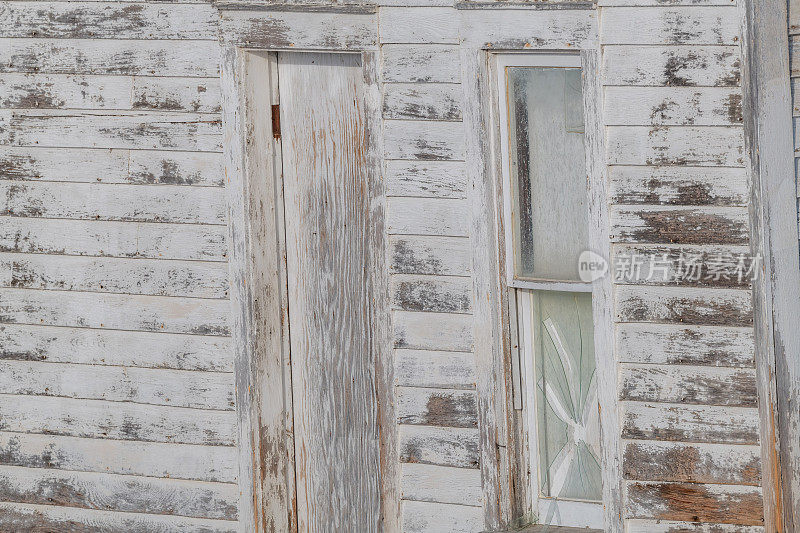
677, 168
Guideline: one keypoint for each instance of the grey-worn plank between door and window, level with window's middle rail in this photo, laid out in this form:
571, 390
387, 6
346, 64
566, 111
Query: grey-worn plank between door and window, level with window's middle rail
411, 292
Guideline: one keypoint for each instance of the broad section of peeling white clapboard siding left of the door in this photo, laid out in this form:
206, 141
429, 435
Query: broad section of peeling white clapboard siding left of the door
116, 383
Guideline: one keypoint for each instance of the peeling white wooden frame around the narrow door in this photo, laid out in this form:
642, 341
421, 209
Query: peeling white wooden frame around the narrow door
266, 447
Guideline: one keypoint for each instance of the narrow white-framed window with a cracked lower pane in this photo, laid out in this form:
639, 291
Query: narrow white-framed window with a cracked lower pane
547, 226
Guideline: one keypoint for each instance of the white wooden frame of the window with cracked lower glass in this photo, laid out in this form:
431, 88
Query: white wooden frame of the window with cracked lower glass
549, 510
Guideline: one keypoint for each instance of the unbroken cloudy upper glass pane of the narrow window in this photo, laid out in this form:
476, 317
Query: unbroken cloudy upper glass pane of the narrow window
548, 171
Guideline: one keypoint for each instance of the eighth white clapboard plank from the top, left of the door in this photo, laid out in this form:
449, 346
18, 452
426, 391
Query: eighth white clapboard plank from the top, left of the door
197, 279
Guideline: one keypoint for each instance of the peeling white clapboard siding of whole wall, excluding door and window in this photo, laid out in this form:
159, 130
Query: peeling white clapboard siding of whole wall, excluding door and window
116, 379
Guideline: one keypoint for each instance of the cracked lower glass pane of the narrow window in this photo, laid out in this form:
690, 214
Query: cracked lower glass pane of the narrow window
565, 395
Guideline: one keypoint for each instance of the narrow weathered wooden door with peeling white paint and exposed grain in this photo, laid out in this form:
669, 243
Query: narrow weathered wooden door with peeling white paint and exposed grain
327, 256
